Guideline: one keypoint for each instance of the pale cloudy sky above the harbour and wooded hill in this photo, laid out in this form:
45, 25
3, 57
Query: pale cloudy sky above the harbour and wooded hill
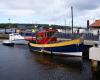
49, 11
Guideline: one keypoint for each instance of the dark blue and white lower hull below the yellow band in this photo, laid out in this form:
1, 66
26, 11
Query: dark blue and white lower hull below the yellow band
62, 50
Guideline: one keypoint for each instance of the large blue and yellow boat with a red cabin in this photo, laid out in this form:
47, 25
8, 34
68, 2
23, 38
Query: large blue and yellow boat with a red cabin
47, 42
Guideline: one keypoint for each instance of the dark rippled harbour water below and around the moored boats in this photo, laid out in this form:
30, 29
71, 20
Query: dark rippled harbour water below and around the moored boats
18, 63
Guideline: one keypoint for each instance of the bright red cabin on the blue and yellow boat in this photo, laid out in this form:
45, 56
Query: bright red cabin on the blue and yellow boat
46, 36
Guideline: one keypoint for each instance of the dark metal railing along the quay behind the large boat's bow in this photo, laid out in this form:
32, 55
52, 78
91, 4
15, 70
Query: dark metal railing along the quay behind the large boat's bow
86, 36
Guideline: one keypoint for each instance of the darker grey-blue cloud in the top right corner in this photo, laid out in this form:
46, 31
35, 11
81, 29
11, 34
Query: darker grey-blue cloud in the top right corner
84, 4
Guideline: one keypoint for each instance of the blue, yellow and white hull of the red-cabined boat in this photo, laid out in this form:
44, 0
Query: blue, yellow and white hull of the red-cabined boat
72, 47
